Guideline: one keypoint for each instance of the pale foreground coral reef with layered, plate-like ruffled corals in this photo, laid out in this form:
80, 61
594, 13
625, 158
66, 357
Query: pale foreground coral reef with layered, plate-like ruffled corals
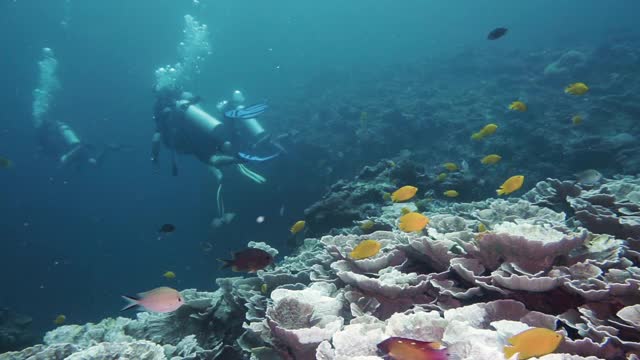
480, 273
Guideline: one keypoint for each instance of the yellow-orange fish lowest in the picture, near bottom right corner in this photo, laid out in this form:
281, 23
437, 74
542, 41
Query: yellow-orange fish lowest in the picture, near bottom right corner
533, 342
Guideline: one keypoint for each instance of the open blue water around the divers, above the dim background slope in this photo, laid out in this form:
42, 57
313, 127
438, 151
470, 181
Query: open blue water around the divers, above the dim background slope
72, 242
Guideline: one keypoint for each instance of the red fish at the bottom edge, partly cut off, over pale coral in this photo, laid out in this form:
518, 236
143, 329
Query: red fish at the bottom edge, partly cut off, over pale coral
397, 348
